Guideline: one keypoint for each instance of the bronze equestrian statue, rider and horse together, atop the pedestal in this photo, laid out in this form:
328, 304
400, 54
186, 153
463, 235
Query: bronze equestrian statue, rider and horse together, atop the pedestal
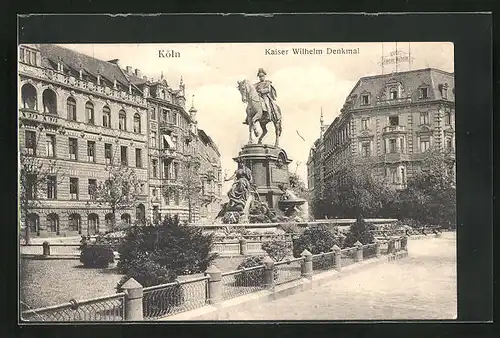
261, 106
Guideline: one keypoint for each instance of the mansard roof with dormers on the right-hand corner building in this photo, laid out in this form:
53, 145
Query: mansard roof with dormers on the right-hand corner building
410, 82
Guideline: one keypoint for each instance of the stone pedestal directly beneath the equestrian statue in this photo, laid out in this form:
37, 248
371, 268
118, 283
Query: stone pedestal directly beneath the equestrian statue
269, 166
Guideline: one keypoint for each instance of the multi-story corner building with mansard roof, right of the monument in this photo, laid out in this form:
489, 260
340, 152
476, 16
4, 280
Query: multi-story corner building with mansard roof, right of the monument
393, 119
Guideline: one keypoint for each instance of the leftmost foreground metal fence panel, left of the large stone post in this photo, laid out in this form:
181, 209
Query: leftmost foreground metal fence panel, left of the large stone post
108, 308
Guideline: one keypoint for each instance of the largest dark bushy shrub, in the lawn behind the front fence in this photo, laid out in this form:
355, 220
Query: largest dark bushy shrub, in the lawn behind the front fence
156, 255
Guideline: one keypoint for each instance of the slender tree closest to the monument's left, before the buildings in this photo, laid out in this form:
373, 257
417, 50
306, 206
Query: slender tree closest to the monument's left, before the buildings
188, 184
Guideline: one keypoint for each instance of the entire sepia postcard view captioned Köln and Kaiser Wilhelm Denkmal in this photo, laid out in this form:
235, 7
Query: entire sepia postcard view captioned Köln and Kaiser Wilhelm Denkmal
163, 182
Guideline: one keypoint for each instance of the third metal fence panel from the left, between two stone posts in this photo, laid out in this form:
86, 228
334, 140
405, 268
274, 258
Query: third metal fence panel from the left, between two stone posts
241, 282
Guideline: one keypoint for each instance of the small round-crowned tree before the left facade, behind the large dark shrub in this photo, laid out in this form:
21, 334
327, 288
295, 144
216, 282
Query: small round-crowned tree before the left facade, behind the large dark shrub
119, 191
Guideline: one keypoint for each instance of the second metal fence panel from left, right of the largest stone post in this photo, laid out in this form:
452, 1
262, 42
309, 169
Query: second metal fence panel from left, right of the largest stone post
168, 299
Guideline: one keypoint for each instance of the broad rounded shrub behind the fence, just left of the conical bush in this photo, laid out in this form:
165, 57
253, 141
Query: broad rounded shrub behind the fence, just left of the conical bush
315, 239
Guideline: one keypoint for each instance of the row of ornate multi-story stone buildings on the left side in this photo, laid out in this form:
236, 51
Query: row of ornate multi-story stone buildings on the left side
87, 114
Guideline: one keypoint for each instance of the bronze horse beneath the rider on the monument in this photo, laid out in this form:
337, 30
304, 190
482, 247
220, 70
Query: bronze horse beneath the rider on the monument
255, 114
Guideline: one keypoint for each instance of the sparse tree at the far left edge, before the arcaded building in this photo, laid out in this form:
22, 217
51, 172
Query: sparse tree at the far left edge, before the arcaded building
35, 173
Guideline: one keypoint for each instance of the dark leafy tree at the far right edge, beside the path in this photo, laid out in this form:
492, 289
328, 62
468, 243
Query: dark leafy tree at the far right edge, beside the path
430, 196
